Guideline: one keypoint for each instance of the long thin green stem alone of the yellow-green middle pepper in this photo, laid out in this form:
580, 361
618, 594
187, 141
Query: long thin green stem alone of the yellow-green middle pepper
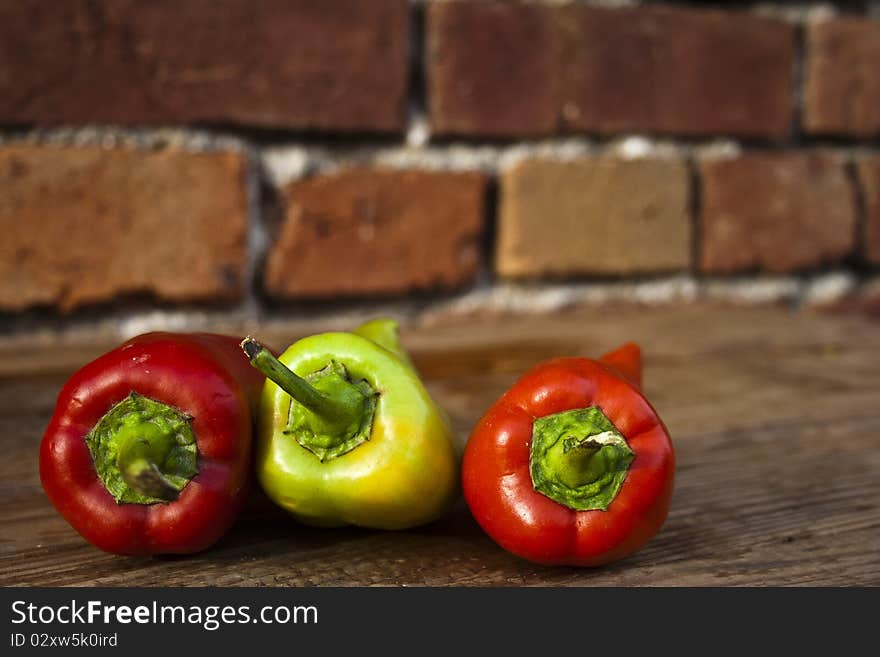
336, 409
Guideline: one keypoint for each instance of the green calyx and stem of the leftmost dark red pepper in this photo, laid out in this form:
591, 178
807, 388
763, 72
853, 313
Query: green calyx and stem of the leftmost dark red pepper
144, 451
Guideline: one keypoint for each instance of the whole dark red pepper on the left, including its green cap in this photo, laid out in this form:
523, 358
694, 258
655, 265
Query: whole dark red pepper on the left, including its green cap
148, 450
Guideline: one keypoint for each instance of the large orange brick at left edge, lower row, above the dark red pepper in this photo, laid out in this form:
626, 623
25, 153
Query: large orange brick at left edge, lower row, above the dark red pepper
84, 225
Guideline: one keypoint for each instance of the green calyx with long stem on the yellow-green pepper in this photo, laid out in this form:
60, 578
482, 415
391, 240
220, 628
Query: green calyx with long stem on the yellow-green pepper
332, 415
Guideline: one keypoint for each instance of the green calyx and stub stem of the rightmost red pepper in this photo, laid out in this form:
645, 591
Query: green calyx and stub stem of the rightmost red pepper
579, 459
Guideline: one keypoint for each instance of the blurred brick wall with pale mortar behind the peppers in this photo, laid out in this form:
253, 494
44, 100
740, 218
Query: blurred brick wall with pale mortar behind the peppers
262, 158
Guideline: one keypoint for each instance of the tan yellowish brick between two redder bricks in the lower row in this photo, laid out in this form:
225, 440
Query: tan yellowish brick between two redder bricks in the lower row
595, 215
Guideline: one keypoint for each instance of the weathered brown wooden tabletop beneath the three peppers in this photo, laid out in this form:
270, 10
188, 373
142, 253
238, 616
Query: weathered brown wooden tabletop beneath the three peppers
775, 417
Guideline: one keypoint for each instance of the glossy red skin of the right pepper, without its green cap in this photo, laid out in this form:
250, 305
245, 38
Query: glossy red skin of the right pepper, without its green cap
495, 471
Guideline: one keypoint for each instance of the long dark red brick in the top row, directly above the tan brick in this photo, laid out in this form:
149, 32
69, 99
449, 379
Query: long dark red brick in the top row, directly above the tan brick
508, 69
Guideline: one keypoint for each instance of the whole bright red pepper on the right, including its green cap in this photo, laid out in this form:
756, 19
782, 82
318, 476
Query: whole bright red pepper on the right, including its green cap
571, 465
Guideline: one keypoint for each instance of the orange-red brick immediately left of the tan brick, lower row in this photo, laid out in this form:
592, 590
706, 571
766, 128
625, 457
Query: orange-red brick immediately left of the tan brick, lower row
377, 231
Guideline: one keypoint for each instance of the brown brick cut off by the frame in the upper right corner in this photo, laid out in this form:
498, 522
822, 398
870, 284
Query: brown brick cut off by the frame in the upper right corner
843, 77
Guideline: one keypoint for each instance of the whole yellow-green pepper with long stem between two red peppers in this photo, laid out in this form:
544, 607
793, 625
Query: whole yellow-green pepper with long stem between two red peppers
348, 434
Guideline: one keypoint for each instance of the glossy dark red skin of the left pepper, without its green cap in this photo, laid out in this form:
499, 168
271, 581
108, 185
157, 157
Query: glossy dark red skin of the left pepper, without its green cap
203, 375
